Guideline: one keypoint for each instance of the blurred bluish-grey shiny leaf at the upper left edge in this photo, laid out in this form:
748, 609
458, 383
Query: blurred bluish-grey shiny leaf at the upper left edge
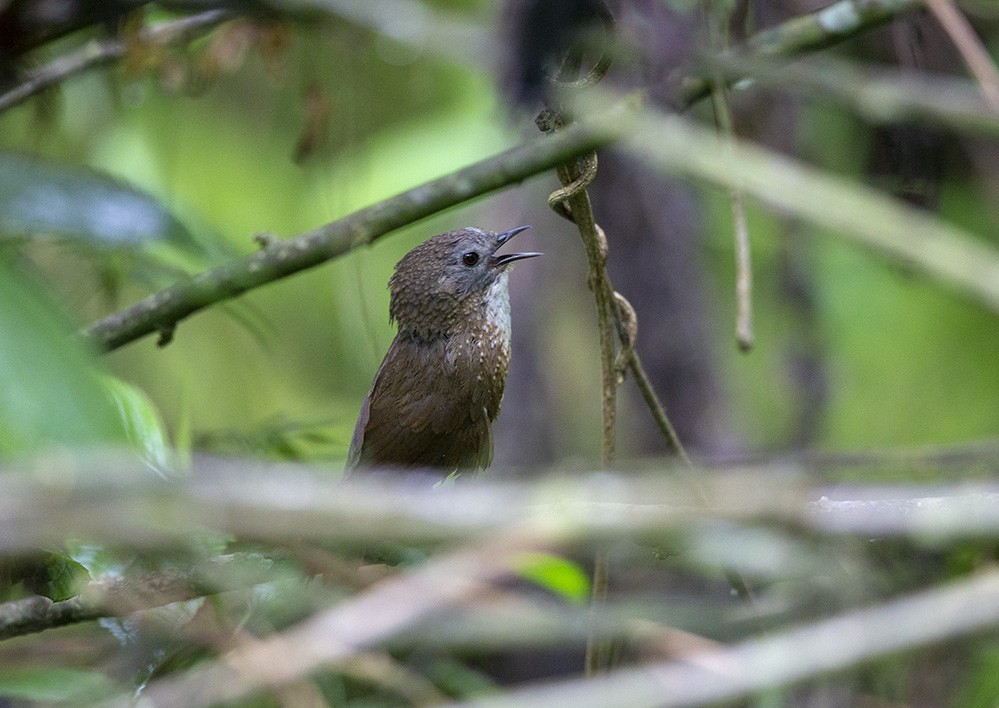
39, 197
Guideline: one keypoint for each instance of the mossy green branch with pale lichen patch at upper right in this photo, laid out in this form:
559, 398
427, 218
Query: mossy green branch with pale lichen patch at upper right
807, 33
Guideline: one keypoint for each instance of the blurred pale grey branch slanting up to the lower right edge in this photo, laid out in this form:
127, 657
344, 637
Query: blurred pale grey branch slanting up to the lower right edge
954, 610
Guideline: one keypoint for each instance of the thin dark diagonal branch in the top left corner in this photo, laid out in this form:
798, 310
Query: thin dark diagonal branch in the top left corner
95, 54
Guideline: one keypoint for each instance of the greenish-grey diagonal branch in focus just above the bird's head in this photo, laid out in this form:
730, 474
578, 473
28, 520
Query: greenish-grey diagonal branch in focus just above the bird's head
161, 311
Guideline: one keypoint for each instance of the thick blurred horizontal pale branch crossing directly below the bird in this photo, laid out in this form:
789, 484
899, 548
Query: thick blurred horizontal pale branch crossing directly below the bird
106, 503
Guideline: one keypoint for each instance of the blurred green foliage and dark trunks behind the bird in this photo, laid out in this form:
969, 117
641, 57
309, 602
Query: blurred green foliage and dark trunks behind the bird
299, 113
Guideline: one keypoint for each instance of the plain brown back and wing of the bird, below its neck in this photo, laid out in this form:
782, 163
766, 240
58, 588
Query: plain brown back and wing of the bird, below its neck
422, 411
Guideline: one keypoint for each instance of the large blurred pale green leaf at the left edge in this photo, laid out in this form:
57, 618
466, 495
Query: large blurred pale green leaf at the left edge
51, 392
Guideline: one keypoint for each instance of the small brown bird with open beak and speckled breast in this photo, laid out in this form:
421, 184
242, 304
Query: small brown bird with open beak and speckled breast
440, 385
